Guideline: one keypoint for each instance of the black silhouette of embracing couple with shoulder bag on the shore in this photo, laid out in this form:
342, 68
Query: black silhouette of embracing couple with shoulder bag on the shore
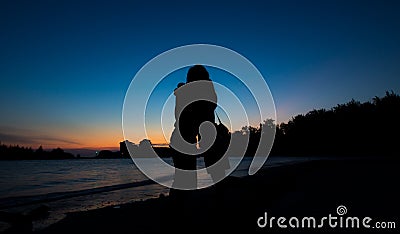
196, 133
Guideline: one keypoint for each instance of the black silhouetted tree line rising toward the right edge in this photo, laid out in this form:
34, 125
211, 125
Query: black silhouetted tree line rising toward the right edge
353, 128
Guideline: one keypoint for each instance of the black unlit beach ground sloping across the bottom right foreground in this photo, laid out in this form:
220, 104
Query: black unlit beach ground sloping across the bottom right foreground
367, 187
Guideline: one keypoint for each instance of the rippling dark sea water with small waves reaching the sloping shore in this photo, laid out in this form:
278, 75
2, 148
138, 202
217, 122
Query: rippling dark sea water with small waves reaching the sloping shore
83, 184
